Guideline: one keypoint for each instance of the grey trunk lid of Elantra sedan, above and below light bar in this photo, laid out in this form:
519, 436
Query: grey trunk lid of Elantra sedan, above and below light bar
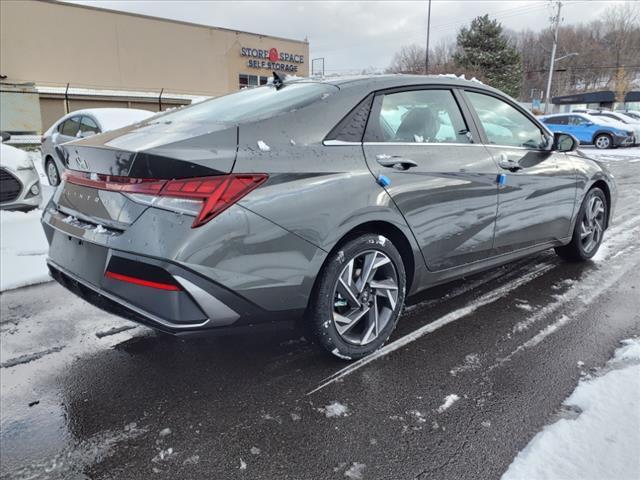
158, 151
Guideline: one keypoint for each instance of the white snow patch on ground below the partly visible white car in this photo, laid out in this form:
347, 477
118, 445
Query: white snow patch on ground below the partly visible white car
23, 250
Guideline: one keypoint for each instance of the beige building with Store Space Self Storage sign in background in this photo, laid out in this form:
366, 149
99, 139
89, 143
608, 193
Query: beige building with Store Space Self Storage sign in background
83, 57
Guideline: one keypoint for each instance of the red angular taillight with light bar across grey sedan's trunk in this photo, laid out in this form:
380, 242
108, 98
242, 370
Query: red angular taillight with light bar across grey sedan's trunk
204, 197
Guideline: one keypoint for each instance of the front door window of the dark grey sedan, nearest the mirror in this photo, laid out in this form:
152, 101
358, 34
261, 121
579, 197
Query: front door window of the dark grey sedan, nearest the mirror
504, 125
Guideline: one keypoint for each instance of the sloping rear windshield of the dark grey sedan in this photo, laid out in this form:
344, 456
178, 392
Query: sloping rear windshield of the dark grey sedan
252, 104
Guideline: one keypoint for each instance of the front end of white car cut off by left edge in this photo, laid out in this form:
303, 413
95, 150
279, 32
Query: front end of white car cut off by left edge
19, 180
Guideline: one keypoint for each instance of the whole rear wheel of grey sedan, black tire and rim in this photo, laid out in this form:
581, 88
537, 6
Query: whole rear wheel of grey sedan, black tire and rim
353, 312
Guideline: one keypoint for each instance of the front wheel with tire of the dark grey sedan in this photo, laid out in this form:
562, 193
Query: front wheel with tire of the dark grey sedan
589, 229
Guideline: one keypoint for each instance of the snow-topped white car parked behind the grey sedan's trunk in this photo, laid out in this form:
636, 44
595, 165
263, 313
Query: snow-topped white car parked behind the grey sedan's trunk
82, 124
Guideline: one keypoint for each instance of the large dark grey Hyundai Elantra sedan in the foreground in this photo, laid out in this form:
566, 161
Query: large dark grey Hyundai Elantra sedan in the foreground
315, 201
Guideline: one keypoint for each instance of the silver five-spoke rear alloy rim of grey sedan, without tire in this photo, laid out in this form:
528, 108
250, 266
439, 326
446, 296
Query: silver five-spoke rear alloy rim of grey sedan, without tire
365, 297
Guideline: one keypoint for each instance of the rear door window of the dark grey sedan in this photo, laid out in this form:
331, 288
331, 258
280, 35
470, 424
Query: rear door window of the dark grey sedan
418, 116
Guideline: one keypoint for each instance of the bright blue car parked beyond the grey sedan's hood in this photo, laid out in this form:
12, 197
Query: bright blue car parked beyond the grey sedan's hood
590, 130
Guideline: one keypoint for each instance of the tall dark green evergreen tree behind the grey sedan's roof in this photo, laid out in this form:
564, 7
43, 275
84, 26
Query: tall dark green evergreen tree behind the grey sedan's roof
485, 52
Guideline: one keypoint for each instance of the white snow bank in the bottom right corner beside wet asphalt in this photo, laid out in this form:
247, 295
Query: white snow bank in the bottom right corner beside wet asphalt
602, 440
